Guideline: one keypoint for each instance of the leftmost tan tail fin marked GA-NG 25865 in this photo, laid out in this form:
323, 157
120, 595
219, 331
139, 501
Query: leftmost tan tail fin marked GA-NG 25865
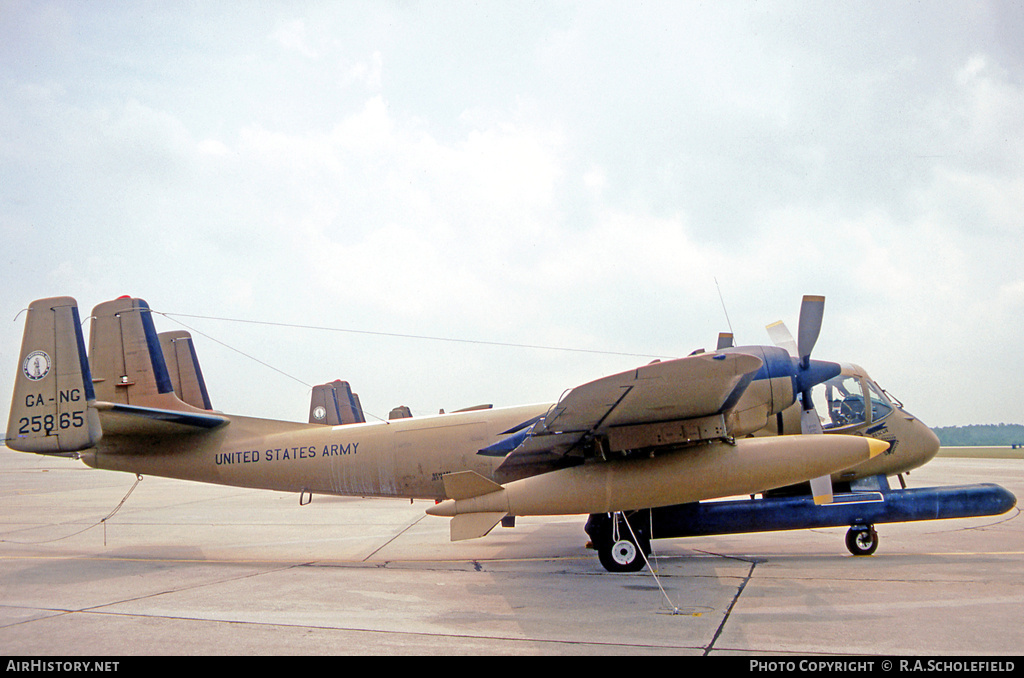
52, 411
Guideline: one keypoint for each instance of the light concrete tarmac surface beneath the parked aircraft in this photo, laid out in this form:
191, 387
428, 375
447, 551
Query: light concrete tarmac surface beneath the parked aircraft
190, 569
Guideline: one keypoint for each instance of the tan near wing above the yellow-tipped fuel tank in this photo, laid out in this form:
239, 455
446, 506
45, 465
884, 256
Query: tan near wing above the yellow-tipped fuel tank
662, 404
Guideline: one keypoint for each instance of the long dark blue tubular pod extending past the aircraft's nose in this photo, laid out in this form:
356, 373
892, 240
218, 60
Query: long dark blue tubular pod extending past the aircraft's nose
858, 508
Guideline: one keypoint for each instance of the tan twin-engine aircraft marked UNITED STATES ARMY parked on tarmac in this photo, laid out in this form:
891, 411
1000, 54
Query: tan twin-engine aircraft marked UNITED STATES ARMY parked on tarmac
637, 451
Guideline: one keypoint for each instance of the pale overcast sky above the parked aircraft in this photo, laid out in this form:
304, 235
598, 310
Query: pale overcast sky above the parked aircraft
575, 176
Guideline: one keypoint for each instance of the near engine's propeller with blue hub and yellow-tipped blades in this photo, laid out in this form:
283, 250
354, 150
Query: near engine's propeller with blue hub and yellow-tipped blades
808, 375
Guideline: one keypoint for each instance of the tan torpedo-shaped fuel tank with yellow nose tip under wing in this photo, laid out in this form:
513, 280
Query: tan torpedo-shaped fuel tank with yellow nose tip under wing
716, 470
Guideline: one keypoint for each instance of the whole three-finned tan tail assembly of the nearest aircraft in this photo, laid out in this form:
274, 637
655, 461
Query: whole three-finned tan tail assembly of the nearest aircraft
65, 401
